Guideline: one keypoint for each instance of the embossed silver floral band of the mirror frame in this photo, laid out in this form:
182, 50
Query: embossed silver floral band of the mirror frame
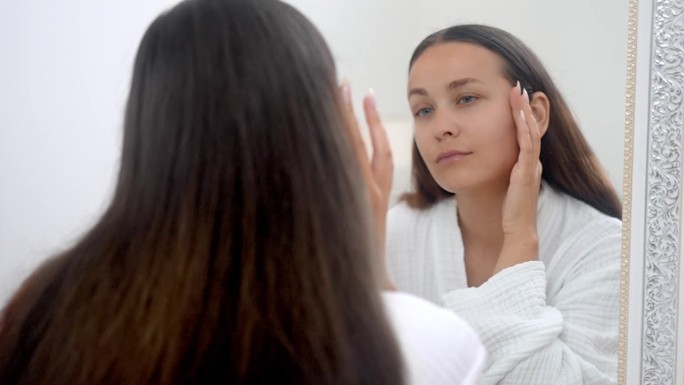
661, 269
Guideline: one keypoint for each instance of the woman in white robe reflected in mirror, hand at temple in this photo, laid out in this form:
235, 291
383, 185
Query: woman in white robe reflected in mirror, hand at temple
511, 223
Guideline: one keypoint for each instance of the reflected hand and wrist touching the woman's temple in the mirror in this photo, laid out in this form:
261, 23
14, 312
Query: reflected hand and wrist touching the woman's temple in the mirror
521, 243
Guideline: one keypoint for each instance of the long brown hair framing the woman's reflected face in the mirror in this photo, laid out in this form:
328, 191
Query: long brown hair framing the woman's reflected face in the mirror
568, 162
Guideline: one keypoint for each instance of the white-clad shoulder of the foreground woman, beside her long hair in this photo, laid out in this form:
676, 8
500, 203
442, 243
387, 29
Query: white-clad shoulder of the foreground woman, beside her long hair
438, 347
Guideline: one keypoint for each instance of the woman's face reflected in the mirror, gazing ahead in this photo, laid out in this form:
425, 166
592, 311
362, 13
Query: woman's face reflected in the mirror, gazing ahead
463, 121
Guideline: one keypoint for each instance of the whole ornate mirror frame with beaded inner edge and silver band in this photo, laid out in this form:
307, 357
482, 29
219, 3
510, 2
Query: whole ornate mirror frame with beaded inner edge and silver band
653, 195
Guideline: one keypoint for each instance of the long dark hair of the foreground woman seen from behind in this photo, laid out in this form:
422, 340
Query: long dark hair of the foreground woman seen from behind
237, 247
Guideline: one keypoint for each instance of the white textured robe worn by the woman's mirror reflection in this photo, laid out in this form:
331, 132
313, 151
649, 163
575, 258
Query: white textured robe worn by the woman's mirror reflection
553, 321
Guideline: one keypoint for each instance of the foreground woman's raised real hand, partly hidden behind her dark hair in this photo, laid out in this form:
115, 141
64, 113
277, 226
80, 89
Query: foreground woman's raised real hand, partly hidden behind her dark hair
377, 173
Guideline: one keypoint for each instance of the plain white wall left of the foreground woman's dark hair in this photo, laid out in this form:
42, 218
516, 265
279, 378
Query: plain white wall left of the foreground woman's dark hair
64, 76
